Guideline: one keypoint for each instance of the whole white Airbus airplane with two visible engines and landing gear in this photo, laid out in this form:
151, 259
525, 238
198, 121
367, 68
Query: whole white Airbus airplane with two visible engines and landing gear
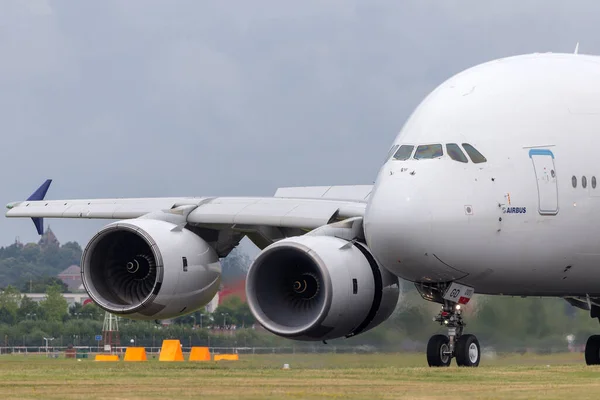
490, 187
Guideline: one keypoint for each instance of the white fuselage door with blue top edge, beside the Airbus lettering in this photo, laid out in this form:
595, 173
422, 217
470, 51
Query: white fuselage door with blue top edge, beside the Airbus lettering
546, 180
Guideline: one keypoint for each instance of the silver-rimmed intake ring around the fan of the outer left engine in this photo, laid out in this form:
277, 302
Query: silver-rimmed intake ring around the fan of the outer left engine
92, 270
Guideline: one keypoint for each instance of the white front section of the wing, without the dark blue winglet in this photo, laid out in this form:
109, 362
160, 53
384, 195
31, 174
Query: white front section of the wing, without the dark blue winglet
272, 211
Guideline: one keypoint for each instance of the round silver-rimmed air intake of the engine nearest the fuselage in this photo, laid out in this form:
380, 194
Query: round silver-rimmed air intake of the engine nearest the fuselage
280, 262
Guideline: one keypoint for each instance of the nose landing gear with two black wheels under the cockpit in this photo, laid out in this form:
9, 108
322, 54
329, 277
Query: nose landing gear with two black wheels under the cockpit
465, 348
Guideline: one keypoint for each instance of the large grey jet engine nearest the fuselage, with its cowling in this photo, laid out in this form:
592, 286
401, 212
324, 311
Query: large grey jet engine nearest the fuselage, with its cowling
318, 288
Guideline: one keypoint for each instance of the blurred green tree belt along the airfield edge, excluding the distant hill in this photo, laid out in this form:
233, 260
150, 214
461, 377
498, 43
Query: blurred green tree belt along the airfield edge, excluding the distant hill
504, 323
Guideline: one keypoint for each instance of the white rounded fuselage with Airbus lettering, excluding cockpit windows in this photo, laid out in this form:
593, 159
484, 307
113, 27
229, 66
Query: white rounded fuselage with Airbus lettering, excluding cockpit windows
514, 224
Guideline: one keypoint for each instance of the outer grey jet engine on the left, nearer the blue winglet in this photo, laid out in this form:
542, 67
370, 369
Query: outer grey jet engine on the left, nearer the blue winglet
149, 269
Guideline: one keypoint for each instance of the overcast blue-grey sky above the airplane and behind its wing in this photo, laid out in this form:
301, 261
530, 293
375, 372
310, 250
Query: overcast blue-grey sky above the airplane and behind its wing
165, 98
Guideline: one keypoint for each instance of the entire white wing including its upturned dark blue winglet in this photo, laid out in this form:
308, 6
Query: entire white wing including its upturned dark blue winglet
303, 208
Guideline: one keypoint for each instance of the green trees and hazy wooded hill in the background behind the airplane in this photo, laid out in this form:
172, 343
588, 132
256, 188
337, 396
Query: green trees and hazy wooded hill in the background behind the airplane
500, 322
